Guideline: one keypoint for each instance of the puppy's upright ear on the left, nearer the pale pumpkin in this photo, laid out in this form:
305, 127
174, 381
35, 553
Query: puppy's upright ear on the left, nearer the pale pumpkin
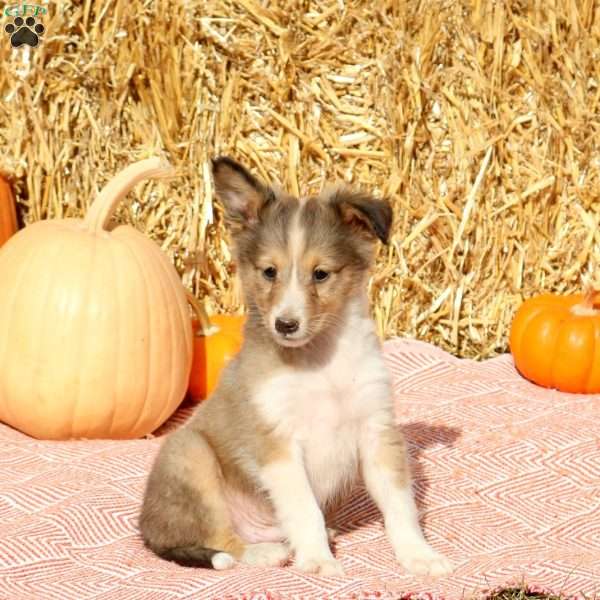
242, 195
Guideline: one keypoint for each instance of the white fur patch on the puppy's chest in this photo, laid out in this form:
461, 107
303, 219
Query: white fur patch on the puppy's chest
324, 407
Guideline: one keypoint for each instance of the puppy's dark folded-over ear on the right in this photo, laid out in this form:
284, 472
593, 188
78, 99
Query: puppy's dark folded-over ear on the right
370, 217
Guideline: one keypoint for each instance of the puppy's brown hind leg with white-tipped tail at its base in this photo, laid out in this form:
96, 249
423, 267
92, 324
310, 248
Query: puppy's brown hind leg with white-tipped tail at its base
184, 515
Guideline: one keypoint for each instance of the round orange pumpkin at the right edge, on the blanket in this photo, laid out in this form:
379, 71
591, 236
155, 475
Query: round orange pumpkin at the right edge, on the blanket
555, 341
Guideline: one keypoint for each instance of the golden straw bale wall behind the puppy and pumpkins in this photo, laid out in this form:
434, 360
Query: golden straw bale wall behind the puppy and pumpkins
479, 119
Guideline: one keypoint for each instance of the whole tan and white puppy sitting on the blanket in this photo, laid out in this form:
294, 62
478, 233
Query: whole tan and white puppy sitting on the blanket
303, 410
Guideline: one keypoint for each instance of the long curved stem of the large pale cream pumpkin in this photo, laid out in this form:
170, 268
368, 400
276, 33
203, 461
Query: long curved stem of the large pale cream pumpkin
111, 195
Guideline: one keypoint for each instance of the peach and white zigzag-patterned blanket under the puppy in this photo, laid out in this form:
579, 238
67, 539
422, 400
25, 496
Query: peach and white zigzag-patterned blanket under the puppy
507, 475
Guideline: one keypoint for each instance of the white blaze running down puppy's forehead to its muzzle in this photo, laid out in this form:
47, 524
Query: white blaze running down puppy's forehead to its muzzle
292, 305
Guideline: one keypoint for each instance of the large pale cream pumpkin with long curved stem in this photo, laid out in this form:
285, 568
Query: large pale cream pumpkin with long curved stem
95, 333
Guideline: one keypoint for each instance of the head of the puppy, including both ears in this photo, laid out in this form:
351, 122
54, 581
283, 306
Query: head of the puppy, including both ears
301, 261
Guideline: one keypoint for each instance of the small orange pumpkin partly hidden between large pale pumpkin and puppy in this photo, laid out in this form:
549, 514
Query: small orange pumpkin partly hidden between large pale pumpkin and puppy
216, 341
